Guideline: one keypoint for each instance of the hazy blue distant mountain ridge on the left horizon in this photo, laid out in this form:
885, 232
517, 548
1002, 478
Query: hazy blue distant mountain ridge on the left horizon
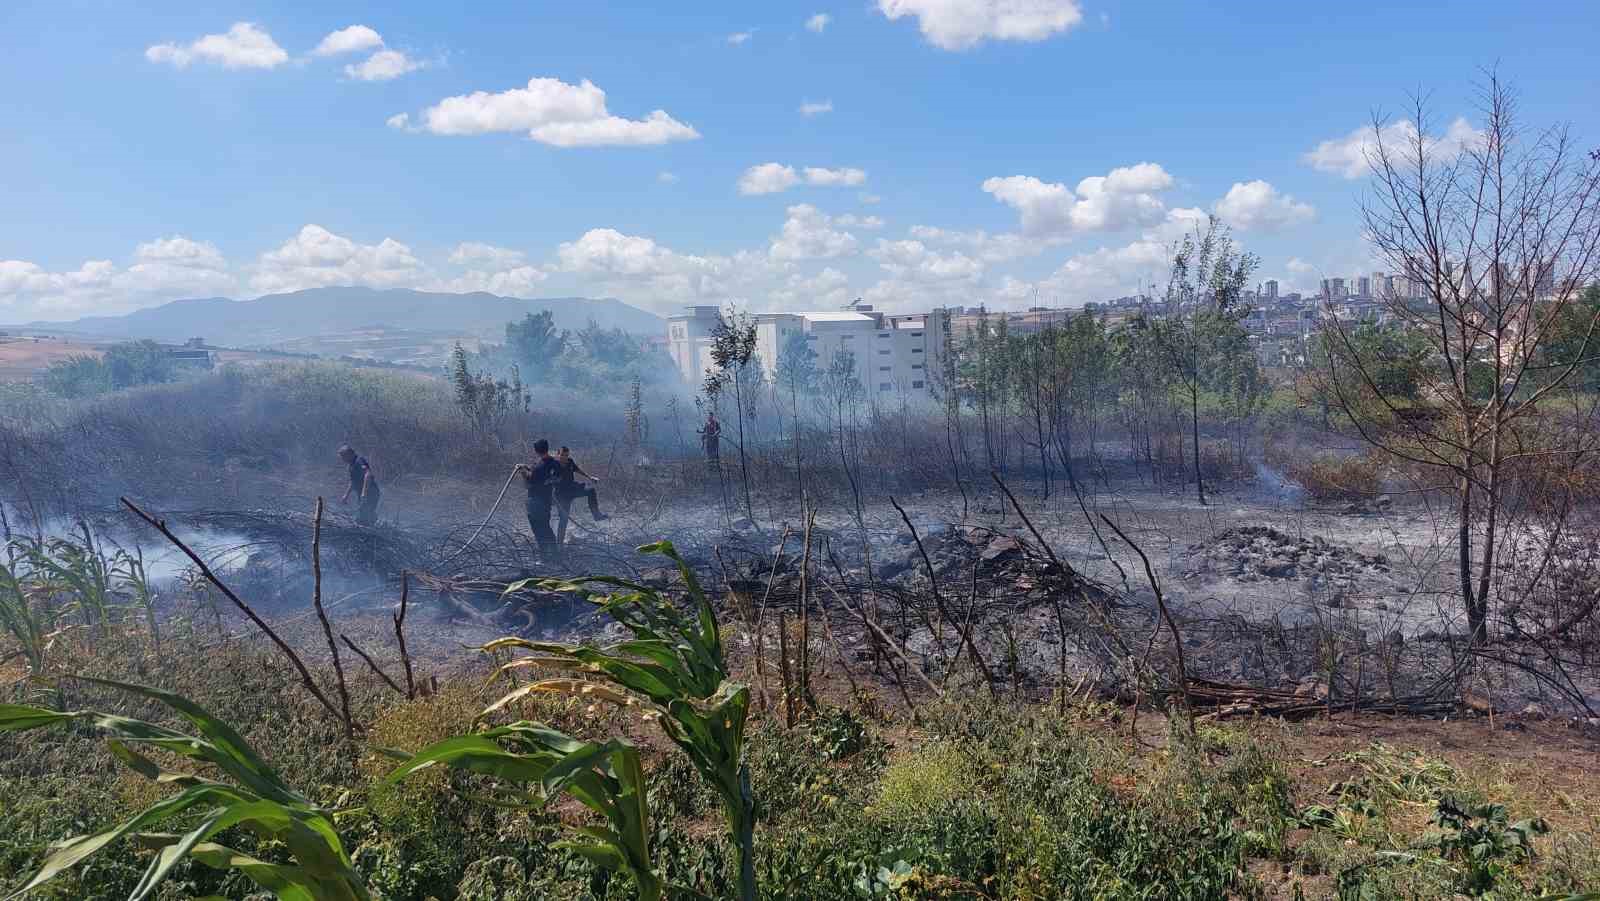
316, 313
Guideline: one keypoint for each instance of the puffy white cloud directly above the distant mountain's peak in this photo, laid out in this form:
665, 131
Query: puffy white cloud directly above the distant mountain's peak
318, 258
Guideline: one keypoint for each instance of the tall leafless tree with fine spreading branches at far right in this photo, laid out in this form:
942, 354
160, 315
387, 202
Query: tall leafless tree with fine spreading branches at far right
1492, 238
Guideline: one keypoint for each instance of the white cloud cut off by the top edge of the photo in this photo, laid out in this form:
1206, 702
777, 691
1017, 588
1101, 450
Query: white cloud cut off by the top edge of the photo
961, 25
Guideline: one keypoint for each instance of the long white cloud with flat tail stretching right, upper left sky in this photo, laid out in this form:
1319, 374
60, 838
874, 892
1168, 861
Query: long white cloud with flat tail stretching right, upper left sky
553, 113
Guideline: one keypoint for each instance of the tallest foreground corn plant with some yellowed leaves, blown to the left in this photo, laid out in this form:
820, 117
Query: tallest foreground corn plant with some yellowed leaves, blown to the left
673, 665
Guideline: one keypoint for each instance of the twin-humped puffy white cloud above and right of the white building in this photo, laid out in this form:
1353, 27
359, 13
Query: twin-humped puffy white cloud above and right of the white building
1122, 199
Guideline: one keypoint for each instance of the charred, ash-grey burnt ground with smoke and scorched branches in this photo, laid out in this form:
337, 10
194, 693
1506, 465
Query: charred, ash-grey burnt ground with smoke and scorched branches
1266, 590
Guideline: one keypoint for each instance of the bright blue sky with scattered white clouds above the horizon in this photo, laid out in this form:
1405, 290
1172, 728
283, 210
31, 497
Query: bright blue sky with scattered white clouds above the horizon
660, 153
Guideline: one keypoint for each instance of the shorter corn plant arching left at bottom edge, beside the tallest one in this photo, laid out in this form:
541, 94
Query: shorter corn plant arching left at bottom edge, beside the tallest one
606, 777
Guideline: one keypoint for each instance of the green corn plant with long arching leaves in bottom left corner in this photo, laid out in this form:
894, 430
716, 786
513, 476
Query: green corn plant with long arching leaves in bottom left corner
258, 801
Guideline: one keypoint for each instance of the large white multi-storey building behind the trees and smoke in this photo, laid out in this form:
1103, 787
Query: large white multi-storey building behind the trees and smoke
892, 353
